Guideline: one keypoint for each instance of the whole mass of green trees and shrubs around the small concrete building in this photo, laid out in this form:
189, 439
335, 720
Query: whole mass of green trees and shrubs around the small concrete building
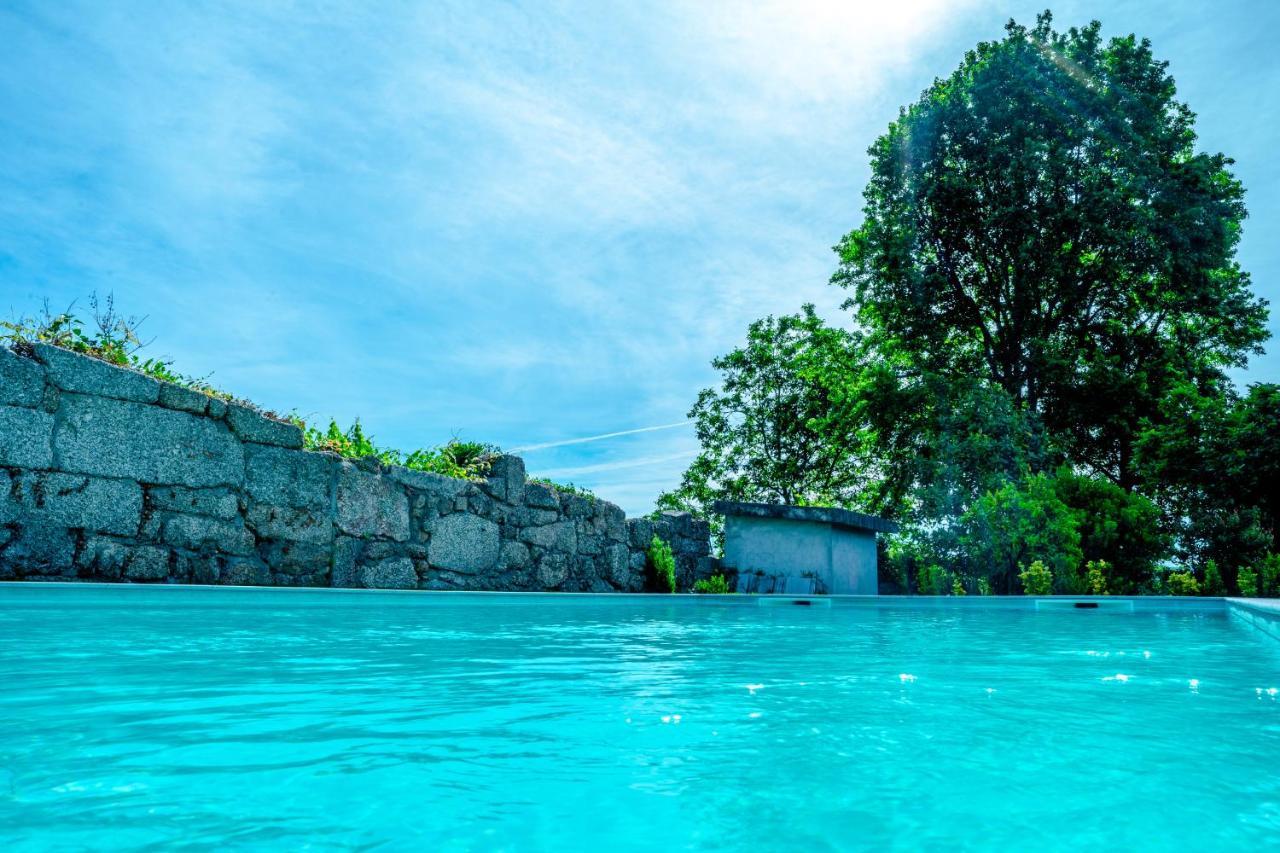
1048, 302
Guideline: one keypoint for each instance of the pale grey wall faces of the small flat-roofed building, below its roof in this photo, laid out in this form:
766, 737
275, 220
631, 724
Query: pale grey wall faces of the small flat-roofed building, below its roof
843, 562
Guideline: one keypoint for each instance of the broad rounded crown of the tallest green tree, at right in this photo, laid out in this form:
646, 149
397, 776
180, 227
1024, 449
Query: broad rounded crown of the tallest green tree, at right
1041, 220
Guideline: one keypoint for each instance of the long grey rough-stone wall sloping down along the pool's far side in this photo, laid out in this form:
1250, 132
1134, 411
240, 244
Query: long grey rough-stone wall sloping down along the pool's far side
107, 475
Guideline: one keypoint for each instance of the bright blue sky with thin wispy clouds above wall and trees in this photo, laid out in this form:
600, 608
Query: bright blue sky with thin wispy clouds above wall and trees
520, 223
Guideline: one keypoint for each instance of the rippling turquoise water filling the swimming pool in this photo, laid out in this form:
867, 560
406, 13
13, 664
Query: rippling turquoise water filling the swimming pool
214, 719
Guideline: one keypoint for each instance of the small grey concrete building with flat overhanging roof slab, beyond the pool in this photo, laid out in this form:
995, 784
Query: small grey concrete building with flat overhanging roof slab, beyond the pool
799, 550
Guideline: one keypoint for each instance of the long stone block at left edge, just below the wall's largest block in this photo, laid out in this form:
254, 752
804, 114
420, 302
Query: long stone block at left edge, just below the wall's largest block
74, 501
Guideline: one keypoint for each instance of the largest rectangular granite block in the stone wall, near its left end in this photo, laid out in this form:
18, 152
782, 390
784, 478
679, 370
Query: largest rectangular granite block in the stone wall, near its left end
148, 444
